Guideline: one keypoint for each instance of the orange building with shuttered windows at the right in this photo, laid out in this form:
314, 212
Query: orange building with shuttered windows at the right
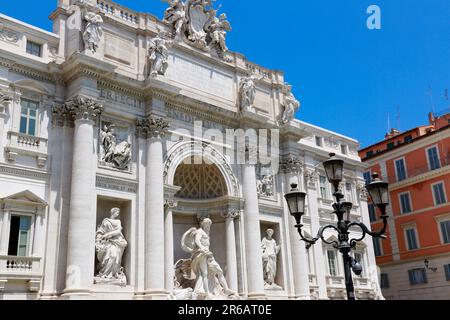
415, 259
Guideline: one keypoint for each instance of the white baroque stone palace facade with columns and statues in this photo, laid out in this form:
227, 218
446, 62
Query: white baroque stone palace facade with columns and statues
97, 200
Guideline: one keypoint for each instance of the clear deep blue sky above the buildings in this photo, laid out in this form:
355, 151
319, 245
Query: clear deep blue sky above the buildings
348, 78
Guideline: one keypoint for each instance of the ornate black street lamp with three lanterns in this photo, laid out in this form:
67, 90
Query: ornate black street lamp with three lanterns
378, 191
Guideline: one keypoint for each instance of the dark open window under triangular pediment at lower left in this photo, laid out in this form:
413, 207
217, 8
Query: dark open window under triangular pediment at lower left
19, 235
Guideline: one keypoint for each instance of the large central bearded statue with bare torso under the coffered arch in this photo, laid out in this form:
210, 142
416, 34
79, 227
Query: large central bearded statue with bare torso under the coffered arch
201, 273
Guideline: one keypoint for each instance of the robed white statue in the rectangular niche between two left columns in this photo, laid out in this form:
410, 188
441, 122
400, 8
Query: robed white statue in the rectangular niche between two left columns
109, 246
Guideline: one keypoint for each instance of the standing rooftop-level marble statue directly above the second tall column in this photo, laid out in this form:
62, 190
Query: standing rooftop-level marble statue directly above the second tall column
158, 56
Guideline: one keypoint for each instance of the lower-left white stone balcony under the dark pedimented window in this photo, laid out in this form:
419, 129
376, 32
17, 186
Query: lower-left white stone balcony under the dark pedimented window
21, 268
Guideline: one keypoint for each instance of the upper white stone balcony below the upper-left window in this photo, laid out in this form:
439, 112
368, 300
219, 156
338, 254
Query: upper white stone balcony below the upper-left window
25, 145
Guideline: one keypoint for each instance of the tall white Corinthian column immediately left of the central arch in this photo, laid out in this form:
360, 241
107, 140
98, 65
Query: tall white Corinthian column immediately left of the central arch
154, 219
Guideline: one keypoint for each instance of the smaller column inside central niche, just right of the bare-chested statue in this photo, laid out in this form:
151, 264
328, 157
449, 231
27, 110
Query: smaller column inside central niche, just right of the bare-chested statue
231, 249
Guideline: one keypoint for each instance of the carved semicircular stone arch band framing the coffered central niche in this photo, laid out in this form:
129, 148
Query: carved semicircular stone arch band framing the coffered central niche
185, 150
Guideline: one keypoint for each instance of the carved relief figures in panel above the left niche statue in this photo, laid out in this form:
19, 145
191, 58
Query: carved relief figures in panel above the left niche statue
117, 155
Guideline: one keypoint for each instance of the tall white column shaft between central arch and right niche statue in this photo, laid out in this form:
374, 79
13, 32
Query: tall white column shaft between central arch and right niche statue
255, 277
